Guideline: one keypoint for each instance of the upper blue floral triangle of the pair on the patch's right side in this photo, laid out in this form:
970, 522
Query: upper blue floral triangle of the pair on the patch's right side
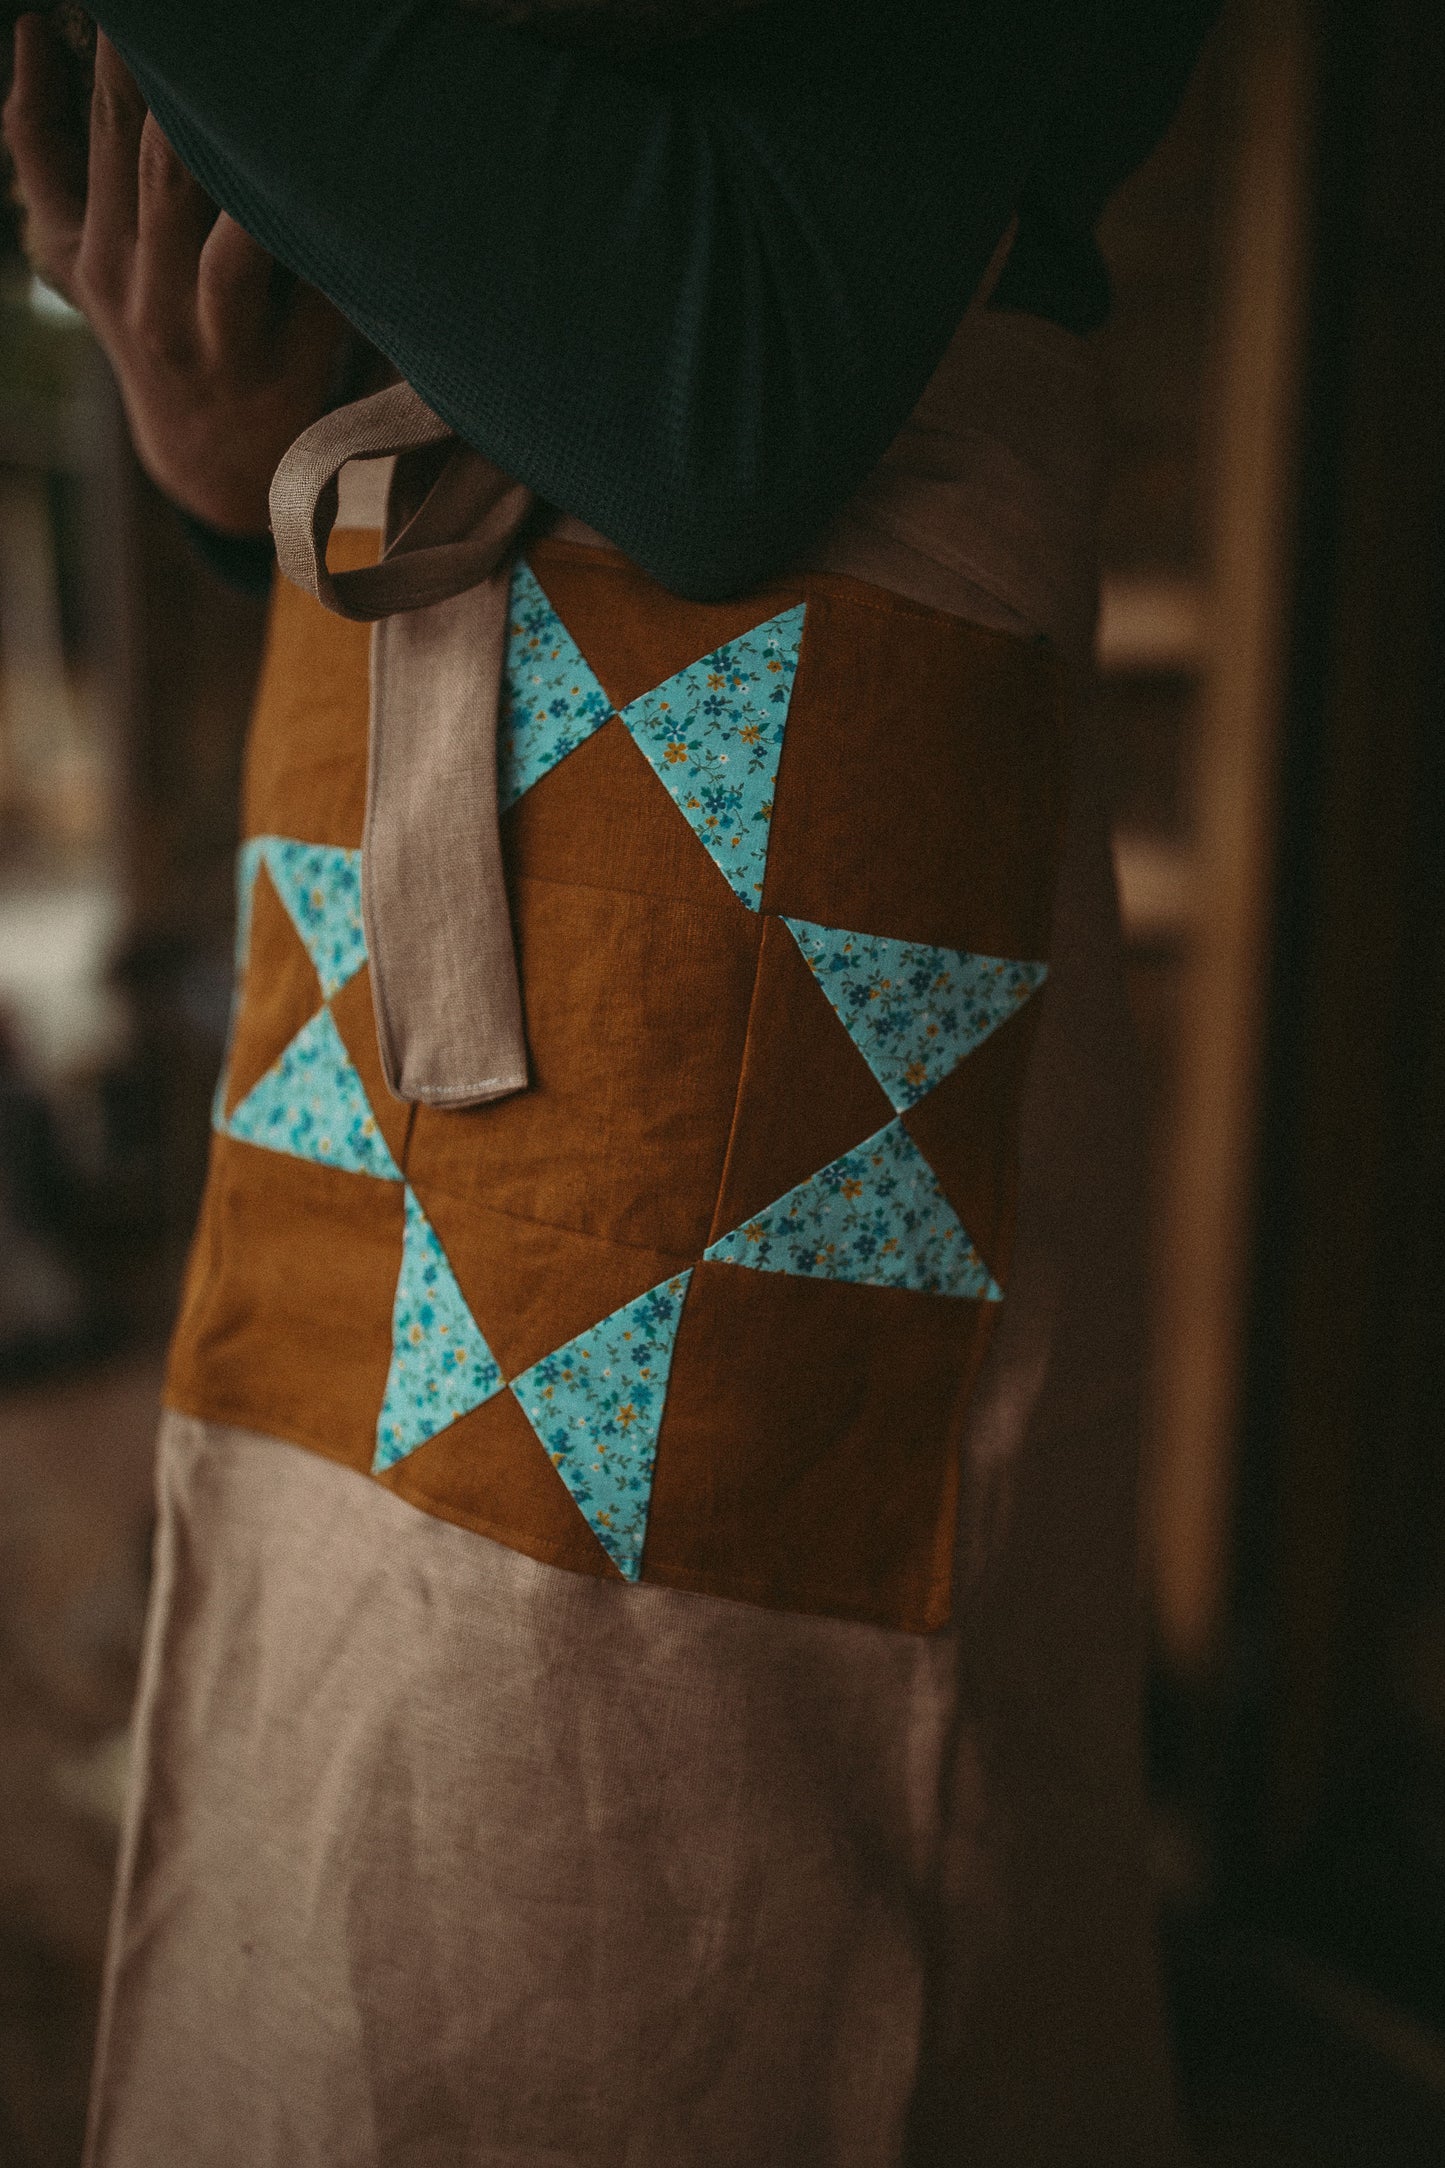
913, 1011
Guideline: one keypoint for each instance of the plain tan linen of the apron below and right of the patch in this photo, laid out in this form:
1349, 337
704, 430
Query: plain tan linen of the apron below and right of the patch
445, 1857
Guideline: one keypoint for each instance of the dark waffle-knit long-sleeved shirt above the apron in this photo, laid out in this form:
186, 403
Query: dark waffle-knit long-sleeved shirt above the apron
688, 298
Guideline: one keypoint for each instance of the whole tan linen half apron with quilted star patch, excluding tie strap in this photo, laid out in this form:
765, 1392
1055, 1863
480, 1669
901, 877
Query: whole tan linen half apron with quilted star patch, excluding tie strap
580, 1725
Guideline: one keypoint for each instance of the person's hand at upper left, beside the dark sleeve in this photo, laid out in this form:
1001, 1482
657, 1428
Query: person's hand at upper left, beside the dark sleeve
220, 354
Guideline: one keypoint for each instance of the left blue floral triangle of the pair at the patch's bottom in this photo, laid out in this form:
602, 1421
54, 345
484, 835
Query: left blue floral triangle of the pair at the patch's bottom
441, 1365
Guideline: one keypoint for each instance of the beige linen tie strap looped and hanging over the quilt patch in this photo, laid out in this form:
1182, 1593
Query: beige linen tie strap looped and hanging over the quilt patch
434, 901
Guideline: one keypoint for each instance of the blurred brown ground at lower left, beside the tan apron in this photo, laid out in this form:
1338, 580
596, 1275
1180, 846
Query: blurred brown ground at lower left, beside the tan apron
75, 1540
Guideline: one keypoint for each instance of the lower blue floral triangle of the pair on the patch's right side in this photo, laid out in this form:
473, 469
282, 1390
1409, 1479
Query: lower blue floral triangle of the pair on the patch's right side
876, 1217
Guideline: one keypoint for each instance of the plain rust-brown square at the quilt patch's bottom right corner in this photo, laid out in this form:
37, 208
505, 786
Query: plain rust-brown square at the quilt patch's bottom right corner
809, 1449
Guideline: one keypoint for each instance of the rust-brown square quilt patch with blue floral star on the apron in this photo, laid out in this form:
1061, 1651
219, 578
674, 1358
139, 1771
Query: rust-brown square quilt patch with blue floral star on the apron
707, 1302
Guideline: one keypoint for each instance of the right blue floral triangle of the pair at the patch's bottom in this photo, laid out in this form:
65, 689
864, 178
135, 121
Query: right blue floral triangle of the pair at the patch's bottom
599, 1404
